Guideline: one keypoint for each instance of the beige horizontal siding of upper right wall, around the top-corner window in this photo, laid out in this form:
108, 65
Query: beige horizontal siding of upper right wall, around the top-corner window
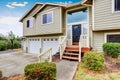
104, 18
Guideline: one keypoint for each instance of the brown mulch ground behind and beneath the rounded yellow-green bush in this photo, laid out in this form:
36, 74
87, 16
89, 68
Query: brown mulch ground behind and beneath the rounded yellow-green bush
110, 65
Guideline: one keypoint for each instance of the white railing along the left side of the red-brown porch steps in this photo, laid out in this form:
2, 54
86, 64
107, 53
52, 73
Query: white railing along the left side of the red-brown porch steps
62, 45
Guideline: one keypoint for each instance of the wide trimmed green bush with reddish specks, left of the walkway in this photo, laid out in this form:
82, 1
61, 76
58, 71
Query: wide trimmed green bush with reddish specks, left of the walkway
40, 71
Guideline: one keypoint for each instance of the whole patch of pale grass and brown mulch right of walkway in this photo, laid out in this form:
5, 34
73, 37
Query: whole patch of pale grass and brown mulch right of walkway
111, 71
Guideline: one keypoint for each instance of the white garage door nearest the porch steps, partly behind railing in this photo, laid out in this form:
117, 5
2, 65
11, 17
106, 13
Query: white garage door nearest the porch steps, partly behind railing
51, 42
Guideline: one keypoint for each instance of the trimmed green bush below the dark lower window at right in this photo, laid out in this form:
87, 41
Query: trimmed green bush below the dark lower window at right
112, 49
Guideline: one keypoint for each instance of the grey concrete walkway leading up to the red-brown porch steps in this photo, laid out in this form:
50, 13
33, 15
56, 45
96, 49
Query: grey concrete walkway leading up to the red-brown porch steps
66, 69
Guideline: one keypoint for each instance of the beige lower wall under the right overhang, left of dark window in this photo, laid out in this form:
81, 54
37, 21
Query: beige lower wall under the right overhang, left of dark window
99, 39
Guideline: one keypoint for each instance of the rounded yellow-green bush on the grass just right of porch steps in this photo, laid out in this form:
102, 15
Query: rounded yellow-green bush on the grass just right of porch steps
94, 60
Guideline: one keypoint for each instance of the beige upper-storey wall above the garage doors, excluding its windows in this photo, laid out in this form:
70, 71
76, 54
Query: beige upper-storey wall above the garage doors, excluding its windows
41, 29
